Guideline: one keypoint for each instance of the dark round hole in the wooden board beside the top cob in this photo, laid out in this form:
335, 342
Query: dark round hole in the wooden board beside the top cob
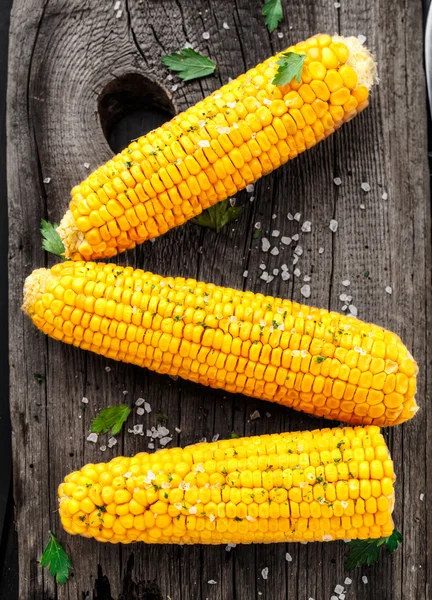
130, 106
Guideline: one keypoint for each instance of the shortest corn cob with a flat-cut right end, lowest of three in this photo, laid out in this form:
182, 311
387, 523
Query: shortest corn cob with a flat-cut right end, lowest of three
320, 485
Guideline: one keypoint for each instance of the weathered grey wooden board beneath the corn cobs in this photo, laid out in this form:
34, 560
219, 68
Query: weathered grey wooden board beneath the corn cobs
62, 56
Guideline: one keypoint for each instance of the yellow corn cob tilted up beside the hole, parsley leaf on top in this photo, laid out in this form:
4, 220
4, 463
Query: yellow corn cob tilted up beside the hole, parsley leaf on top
214, 149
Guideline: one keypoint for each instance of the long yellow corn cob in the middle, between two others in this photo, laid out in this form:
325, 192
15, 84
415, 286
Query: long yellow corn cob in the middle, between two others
316, 361
